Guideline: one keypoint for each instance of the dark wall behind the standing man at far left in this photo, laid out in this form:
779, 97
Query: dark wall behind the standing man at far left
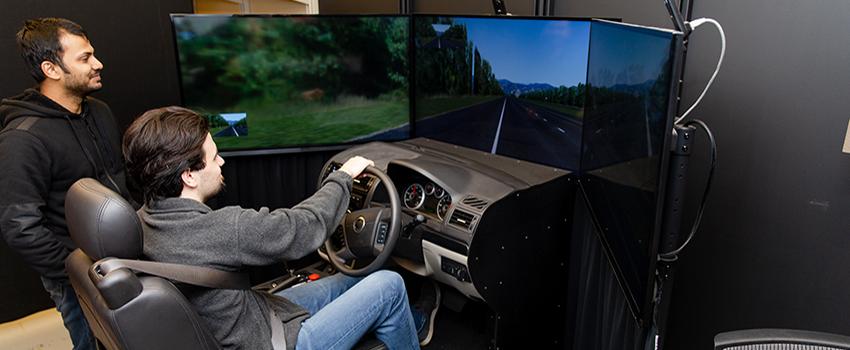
132, 39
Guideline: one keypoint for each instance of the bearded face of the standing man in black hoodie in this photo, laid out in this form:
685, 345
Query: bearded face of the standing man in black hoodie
81, 75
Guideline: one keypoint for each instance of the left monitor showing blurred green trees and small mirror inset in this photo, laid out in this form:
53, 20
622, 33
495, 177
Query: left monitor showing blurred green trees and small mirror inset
276, 82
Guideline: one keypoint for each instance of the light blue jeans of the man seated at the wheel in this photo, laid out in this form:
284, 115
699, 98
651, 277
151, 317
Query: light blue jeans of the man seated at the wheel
345, 308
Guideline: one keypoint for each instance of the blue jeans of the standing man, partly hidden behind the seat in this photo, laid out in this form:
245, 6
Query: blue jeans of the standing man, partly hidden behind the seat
72, 315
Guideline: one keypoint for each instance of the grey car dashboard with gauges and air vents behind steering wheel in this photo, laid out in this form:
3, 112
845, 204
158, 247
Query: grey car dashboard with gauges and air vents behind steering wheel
468, 202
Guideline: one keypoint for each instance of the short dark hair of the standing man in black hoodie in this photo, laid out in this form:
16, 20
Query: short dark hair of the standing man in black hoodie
38, 40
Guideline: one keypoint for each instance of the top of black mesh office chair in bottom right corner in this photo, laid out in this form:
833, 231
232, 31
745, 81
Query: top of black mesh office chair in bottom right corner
779, 339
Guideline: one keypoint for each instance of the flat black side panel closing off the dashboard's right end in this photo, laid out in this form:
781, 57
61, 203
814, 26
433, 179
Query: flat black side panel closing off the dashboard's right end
520, 266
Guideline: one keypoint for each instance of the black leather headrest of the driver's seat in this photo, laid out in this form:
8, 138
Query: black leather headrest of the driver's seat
101, 222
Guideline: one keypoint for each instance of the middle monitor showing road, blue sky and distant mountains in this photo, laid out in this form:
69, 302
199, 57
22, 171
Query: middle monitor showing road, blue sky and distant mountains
507, 85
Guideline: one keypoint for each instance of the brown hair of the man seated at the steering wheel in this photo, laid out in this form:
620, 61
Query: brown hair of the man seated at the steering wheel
160, 145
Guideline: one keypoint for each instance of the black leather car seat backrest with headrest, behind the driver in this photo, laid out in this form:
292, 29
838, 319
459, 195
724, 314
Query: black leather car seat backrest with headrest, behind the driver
125, 311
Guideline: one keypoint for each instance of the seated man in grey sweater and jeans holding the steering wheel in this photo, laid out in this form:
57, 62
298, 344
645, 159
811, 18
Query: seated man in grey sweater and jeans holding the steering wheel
171, 155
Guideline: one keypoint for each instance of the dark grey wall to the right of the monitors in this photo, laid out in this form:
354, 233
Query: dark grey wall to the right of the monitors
771, 251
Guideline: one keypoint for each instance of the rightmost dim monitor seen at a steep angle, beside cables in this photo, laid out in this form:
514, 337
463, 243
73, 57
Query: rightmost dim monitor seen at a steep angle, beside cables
633, 75
